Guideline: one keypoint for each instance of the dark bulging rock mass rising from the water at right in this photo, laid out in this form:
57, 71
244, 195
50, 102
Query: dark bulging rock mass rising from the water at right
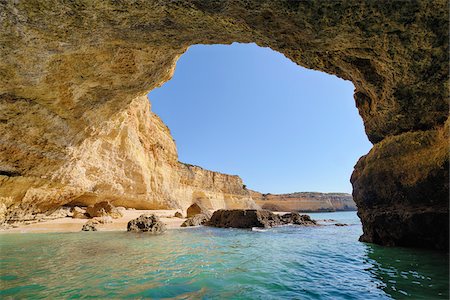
401, 188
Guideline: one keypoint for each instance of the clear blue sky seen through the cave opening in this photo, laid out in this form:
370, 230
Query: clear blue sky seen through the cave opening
246, 110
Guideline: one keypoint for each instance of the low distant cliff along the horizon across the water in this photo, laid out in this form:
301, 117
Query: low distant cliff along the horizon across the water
305, 201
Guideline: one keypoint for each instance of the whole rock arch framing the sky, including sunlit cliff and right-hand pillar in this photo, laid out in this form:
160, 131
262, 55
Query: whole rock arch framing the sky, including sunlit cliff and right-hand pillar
75, 127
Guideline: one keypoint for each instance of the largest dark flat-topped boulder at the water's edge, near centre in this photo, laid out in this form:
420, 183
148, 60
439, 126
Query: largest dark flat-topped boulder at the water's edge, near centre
244, 218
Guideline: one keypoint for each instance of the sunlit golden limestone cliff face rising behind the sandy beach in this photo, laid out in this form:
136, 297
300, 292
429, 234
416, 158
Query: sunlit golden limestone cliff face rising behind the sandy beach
130, 160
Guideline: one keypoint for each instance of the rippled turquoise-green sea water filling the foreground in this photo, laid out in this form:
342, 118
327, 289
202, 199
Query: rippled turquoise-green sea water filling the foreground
290, 262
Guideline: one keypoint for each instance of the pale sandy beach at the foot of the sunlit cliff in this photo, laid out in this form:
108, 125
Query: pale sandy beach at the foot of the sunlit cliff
69, 224
